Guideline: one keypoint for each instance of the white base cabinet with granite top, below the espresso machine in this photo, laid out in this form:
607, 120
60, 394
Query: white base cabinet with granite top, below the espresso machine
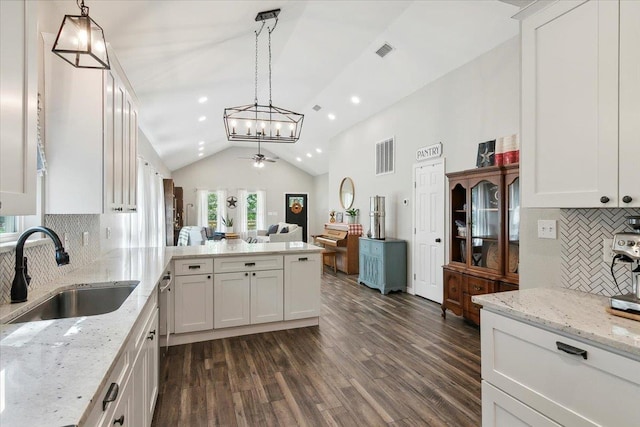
554, 356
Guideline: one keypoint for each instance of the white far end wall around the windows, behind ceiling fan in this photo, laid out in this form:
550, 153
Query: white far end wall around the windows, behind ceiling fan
225, 170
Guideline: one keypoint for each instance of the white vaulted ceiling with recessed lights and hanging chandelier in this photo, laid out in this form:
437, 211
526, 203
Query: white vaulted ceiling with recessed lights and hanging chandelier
175, 52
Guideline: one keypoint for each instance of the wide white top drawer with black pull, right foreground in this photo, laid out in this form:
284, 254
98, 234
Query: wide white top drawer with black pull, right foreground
524, 361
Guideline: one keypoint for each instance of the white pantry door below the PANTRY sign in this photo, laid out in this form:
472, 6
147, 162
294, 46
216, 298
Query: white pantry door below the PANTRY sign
428, 239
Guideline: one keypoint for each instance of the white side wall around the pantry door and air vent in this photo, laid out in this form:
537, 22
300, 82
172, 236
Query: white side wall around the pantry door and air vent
477, 102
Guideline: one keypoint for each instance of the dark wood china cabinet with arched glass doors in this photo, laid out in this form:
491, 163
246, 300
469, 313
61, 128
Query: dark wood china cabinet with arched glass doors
483, 237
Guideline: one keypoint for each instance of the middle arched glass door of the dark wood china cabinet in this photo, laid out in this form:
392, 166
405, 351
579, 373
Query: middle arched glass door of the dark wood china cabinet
485, 249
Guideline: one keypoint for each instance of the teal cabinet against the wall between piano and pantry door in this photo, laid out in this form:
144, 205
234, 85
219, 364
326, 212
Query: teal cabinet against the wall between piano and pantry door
383, 264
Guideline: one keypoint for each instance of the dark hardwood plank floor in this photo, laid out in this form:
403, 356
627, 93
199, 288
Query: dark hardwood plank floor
374, 360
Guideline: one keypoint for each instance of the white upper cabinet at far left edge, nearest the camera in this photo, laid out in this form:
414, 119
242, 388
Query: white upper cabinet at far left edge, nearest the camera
18, 107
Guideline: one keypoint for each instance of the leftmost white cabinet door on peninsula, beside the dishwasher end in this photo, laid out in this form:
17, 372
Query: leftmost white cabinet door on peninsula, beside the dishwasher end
193, 301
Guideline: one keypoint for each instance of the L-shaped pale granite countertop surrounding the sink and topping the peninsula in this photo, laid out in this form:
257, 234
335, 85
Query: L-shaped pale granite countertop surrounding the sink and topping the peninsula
51, 370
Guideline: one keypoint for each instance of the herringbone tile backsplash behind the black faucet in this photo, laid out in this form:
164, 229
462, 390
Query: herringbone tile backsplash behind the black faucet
41, 259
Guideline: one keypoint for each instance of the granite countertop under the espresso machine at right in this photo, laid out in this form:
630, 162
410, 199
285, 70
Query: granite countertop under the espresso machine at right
579, 314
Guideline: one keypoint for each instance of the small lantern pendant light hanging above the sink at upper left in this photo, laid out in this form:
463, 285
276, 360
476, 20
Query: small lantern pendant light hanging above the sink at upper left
80, 41
